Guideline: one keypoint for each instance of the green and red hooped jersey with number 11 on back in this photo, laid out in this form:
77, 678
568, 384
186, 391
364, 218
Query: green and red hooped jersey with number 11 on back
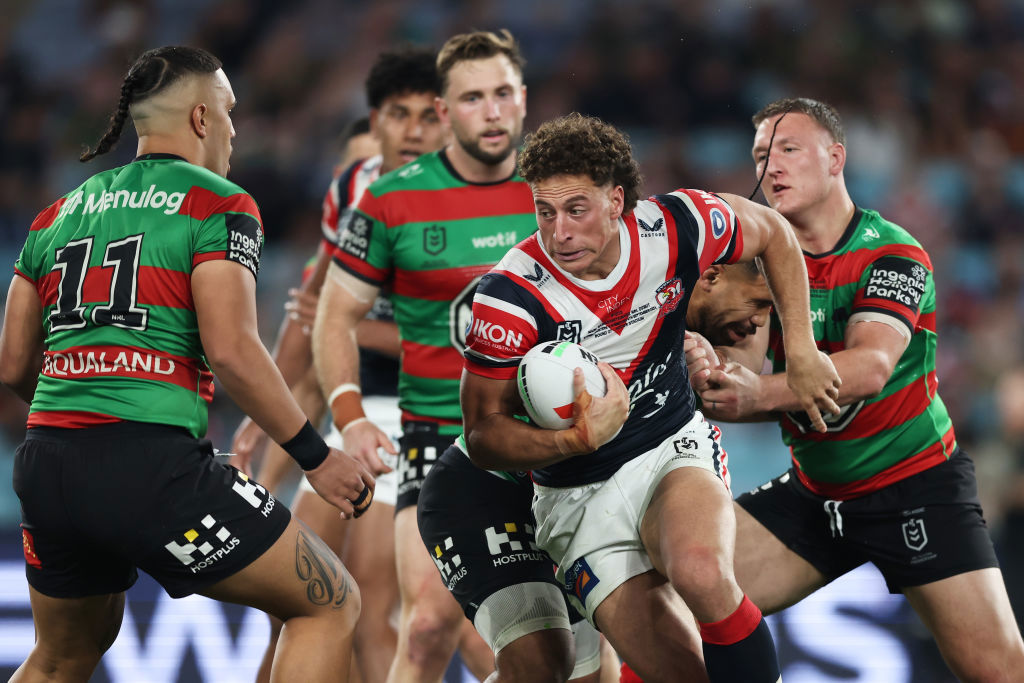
112, 263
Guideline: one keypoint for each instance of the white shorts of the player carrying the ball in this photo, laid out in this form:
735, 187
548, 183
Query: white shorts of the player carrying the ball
593, 532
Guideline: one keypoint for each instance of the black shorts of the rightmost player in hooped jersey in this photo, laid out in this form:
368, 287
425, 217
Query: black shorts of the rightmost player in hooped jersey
921, 530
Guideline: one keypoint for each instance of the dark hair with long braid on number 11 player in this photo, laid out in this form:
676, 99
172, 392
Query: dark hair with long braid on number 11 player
152, 73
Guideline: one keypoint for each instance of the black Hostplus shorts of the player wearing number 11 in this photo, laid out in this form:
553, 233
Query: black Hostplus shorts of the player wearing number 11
98, 503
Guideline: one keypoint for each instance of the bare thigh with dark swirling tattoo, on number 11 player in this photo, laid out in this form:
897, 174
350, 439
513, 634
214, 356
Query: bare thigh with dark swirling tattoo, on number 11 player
298, 576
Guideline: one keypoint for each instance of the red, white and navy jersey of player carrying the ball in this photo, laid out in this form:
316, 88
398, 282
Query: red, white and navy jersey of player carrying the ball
634, 319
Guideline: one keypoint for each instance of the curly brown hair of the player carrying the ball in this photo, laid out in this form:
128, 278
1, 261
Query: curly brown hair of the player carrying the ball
577, 145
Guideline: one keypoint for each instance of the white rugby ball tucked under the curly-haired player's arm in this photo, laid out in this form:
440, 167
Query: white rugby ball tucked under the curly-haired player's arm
545, 380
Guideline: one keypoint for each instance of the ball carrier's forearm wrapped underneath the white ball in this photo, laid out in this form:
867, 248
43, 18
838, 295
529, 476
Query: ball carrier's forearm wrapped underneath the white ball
500, 443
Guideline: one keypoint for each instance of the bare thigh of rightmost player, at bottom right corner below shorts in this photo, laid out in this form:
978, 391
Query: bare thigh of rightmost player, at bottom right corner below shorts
973, 623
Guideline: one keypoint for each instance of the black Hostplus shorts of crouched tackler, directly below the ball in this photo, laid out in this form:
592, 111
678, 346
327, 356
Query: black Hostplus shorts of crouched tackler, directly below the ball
479, 529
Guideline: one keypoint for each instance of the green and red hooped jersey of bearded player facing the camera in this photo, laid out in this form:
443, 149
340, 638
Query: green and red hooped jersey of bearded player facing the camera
432, 236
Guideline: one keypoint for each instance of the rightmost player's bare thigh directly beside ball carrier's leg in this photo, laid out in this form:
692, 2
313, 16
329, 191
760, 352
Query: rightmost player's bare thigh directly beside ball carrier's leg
773, 576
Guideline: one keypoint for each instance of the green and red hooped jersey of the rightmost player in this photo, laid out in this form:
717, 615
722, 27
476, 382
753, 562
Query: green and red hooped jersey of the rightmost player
877, 270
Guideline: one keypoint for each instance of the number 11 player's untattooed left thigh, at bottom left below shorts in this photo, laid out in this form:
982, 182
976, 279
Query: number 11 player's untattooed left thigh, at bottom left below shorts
76, 628
